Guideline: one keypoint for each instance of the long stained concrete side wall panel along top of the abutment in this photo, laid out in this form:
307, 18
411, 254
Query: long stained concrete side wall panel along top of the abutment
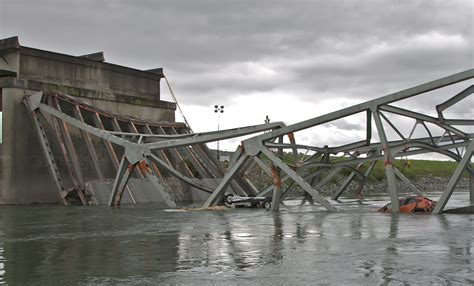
72, 71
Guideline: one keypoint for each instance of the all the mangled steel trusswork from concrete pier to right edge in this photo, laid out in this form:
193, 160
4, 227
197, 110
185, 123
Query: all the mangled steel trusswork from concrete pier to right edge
155, 150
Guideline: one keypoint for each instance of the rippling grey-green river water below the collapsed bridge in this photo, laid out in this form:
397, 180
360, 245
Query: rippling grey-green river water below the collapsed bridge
302, 244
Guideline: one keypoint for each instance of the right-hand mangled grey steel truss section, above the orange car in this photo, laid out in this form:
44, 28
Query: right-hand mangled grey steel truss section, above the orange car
361, 152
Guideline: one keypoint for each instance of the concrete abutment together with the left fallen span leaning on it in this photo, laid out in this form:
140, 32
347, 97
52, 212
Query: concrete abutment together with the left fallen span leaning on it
92, 129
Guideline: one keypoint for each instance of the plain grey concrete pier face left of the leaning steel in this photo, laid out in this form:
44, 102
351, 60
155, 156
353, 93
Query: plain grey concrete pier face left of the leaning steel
25, 175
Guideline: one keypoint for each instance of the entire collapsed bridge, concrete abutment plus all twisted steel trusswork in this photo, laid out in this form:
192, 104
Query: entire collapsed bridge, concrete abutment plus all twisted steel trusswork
79, 139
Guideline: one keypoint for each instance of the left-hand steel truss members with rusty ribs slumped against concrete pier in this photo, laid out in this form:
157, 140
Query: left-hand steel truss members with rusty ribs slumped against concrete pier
148, 150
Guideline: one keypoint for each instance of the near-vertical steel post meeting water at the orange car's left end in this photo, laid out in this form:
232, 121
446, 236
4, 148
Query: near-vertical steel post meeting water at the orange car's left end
389, 173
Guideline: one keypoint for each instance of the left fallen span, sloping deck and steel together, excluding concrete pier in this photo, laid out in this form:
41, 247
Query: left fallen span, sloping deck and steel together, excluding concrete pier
147, 161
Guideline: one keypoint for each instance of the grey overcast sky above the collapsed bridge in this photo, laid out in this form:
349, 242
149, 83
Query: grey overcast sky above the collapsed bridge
291, 60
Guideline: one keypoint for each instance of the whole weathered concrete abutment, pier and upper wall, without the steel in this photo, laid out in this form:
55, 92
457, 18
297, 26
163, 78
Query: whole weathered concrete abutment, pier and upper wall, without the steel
24, 70
